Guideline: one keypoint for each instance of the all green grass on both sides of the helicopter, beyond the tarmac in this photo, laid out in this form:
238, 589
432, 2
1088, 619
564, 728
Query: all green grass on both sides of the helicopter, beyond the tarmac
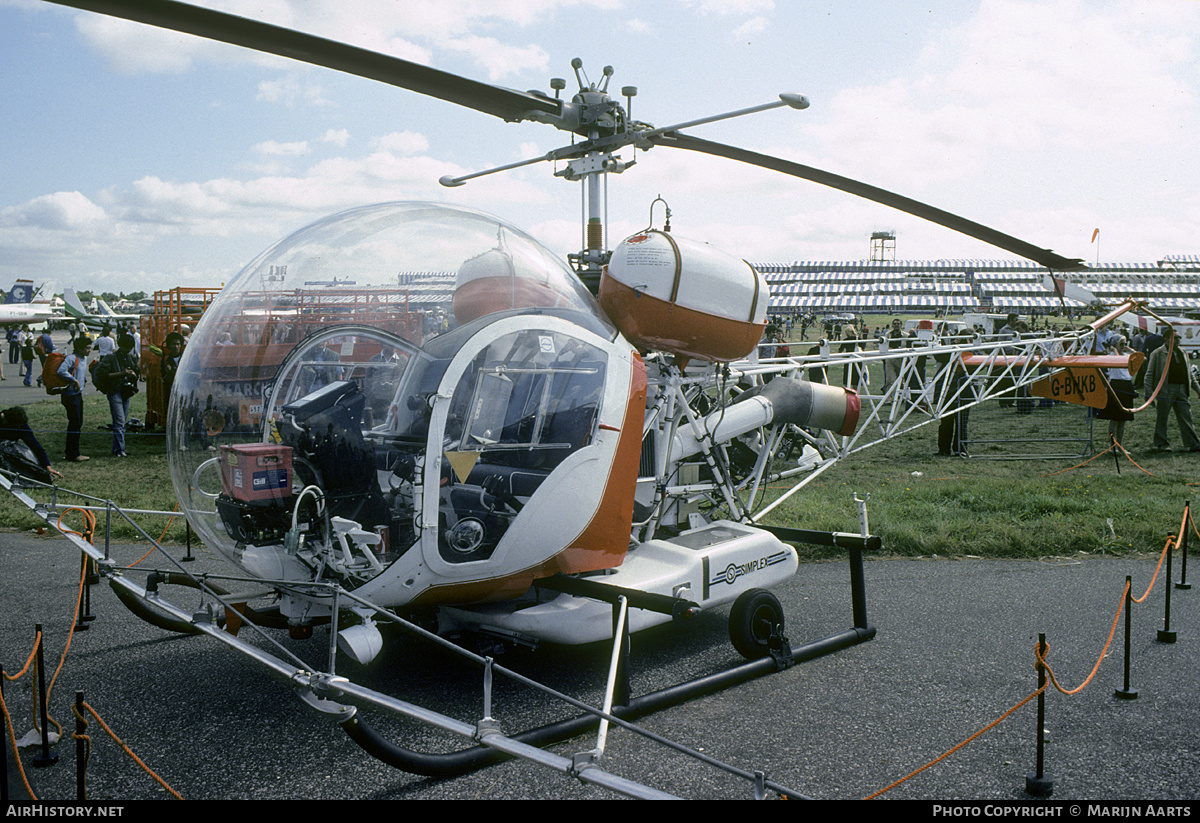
920, 504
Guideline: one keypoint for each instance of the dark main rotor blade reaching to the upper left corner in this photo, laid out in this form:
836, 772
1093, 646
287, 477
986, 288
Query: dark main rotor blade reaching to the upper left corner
506, 104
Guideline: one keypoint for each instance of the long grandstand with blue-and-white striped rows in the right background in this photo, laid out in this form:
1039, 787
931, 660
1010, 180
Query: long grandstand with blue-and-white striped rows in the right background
866, 287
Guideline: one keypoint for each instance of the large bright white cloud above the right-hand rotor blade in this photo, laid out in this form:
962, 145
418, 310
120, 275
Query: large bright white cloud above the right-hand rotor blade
1029, 91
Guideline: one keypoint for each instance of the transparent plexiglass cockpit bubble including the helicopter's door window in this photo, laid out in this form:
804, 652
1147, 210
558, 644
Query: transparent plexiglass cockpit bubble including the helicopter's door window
304, 393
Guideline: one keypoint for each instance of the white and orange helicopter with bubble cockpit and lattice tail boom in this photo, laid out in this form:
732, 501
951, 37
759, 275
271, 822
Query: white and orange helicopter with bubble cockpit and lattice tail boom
421, 405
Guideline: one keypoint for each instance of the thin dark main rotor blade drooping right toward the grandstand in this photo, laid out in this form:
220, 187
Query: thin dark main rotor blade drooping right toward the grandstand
1010, 244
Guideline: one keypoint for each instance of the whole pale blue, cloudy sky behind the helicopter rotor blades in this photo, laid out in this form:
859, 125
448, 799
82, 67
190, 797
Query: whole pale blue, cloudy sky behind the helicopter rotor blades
142, 160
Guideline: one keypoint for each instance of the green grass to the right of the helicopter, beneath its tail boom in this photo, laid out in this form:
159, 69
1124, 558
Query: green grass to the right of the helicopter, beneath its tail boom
922, 504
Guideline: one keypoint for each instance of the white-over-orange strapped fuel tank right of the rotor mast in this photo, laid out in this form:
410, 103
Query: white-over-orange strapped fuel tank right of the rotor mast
677, 296
